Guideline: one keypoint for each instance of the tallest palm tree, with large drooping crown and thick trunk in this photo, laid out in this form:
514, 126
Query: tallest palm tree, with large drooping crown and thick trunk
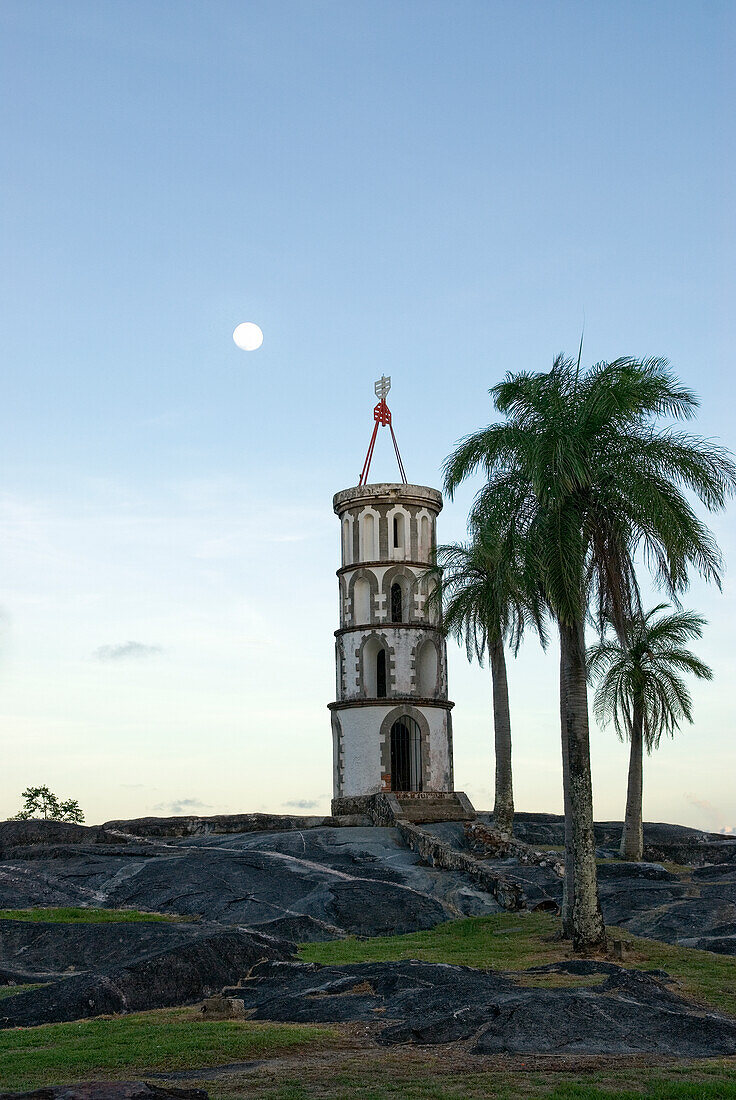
580, 469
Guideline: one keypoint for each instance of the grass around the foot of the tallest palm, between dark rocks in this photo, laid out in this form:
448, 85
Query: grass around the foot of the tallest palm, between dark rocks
520, 941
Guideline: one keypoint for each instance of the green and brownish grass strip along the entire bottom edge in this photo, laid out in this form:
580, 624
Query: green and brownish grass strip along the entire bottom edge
306, 1062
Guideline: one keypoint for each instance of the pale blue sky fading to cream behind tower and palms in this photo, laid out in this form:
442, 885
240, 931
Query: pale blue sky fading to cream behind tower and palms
438, 191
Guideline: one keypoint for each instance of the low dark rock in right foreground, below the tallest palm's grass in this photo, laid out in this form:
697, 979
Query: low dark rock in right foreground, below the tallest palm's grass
628, 1013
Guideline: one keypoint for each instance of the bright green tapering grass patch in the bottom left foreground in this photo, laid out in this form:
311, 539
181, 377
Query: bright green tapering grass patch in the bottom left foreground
166, 1040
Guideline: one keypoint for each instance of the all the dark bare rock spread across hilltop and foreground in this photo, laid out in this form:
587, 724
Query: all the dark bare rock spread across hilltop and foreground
248, 893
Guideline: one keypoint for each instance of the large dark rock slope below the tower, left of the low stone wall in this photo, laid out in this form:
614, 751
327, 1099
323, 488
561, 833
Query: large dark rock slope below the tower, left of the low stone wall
361, 882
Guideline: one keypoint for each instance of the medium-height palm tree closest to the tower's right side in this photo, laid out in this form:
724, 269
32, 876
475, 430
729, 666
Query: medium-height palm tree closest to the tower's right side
487, 602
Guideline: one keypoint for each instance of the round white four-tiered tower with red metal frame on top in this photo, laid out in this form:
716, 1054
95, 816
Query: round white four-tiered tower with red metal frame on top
391, 721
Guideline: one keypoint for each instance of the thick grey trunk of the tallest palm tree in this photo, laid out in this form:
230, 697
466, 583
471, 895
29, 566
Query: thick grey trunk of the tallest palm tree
589, 931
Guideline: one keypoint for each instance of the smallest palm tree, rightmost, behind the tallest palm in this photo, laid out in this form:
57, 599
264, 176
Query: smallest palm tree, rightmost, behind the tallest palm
643, 692
